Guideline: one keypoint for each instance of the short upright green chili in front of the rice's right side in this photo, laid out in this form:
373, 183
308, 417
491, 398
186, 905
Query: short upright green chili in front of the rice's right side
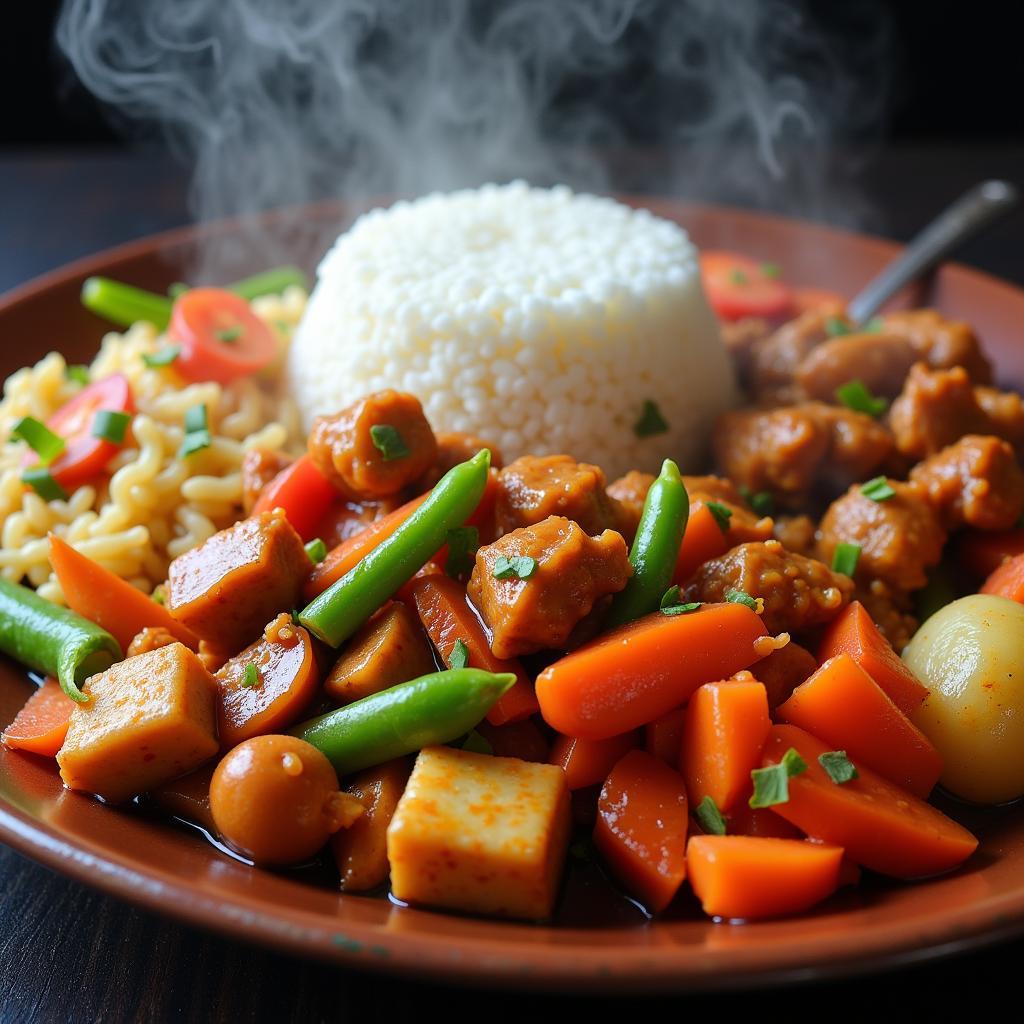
656, 548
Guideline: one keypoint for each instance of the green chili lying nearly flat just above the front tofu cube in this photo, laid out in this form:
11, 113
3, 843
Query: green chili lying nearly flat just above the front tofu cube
432, 710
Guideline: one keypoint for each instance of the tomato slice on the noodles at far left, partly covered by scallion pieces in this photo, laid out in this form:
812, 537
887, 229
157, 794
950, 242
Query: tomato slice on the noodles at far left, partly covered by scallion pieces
87, 457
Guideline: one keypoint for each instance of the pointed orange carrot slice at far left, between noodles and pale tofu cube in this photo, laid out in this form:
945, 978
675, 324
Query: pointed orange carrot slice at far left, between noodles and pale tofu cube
108, 601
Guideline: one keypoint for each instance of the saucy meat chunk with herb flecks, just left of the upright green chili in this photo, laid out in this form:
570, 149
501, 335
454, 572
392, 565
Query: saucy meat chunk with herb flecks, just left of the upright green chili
572, 573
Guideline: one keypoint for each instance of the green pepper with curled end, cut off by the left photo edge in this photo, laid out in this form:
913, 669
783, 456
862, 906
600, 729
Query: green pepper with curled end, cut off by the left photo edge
52, 639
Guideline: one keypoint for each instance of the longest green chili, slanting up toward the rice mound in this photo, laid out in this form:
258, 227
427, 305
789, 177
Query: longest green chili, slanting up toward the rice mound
348, 604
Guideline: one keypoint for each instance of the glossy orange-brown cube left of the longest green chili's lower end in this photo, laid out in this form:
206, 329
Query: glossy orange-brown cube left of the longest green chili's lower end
232, 585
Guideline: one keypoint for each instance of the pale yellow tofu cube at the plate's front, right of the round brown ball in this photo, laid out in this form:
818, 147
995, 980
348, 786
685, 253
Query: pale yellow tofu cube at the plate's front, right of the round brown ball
481, 834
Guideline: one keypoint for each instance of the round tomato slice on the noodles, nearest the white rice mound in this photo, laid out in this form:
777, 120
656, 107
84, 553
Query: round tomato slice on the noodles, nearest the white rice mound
221, 337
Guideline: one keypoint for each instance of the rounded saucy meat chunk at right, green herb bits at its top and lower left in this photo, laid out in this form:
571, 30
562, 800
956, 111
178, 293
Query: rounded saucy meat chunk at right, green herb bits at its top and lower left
900, 538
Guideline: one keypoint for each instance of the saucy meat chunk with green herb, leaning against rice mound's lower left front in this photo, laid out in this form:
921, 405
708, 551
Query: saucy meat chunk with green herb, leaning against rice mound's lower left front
375, 448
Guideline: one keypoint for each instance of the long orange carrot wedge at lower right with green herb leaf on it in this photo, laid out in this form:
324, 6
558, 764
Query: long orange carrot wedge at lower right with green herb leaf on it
879, 825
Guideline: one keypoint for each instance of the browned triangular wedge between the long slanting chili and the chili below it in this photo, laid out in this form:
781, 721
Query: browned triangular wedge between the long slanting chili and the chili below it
392, 649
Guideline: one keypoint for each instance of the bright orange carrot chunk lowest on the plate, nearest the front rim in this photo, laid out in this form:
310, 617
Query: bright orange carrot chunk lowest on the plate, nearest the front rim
751, 877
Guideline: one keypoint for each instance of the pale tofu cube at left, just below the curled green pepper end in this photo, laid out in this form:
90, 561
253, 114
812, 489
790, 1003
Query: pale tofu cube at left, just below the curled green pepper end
149, 719
